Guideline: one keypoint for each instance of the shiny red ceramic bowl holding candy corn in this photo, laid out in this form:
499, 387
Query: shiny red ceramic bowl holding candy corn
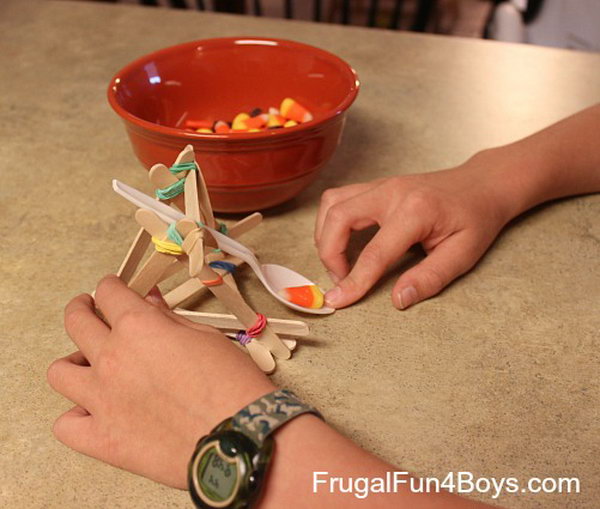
218, 78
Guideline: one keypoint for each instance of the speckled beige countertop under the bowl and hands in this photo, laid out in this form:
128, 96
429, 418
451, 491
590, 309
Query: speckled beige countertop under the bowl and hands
497, 376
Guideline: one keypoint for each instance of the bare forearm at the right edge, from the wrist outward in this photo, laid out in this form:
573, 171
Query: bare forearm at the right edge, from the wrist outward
561, 160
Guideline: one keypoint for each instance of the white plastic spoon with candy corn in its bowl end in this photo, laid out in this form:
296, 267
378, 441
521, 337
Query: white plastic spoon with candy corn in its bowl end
286, 285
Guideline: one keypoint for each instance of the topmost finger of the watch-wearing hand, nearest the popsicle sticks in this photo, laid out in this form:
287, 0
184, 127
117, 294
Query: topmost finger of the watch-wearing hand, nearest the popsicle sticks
114, 299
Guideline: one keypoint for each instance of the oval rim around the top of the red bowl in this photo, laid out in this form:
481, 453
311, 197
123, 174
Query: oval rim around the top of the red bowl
242, 136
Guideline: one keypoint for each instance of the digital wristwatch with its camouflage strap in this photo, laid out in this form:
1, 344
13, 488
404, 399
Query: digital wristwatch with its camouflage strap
229, 464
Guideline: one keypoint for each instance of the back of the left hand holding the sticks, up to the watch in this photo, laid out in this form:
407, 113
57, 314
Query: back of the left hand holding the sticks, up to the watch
146, 386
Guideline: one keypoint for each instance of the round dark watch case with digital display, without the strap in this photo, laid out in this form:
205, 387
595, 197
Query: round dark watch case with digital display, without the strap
227, 469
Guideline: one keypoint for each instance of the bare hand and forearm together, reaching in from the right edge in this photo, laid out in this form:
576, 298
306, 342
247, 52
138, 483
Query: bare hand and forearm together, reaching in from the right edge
455, 214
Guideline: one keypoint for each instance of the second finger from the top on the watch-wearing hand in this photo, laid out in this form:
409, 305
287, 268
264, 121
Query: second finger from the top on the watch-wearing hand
84, 326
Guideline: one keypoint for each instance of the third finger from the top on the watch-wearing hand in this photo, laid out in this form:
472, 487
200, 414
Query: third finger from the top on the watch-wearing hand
70, 377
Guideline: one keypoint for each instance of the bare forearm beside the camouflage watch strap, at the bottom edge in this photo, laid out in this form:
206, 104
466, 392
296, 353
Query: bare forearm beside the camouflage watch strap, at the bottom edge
307, 445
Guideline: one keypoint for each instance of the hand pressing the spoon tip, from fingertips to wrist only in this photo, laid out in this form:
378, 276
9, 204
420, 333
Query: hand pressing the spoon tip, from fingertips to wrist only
455, 214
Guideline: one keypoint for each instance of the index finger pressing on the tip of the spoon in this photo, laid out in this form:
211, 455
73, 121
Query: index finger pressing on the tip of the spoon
387, 246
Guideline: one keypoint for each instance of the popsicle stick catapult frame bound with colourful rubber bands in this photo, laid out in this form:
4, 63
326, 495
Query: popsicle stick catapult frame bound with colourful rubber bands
185, 245
